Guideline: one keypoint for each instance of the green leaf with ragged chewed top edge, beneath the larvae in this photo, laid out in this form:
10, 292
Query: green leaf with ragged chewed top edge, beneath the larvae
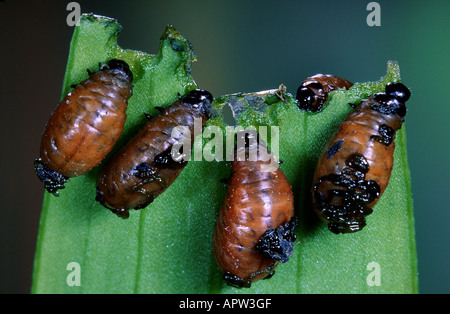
167, 247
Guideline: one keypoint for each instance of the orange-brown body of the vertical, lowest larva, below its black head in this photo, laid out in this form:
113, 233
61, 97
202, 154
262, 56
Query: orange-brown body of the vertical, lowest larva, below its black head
256, 203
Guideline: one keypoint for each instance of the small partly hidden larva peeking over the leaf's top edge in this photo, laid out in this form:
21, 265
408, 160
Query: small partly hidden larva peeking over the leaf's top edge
313, 92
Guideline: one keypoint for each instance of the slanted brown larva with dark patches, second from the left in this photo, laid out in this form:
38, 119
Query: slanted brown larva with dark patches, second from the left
144, 168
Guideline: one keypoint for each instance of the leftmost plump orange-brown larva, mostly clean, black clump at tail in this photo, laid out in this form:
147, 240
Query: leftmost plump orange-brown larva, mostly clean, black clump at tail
85, 126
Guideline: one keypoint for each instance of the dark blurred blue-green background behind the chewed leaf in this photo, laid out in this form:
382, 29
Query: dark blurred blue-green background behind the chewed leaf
240, 46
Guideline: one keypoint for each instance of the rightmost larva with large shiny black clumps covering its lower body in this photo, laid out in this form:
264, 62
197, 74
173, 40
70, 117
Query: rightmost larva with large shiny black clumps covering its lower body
355, 168
